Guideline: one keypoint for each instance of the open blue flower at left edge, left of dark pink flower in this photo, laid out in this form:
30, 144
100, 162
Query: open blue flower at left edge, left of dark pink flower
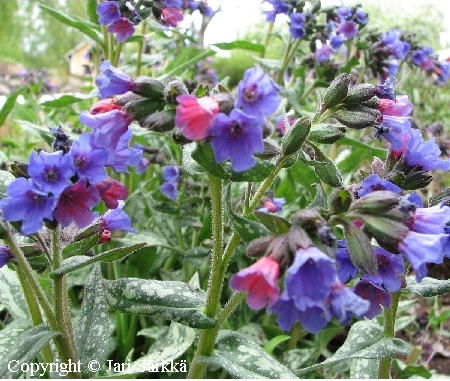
25, 203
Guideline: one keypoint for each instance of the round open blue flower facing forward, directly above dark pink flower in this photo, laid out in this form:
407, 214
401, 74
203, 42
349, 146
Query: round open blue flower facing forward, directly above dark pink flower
51, 172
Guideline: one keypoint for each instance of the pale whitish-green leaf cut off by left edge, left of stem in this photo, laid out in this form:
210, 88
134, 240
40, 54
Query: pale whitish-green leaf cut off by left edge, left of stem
11, 295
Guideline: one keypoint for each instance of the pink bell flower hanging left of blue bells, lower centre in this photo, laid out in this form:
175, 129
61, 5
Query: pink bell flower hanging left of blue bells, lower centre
261, 282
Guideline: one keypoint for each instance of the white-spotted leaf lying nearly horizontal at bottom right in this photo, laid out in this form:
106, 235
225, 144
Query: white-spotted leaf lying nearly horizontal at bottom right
365, 340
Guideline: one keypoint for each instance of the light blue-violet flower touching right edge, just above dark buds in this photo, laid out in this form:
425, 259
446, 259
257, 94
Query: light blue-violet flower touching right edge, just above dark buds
423, 154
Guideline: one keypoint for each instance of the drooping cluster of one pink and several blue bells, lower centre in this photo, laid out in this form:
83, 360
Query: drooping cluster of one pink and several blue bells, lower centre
313, 293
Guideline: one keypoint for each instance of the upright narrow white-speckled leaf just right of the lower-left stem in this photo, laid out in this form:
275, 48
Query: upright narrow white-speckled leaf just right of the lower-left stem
92, 331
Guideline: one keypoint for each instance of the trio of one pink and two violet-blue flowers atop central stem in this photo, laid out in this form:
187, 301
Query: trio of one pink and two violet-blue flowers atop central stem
238, 134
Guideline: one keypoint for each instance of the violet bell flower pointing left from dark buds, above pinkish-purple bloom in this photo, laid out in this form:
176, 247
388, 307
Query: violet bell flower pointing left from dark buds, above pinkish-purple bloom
112, 81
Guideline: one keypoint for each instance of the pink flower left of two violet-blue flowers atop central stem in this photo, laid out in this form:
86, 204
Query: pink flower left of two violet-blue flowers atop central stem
195, 115
